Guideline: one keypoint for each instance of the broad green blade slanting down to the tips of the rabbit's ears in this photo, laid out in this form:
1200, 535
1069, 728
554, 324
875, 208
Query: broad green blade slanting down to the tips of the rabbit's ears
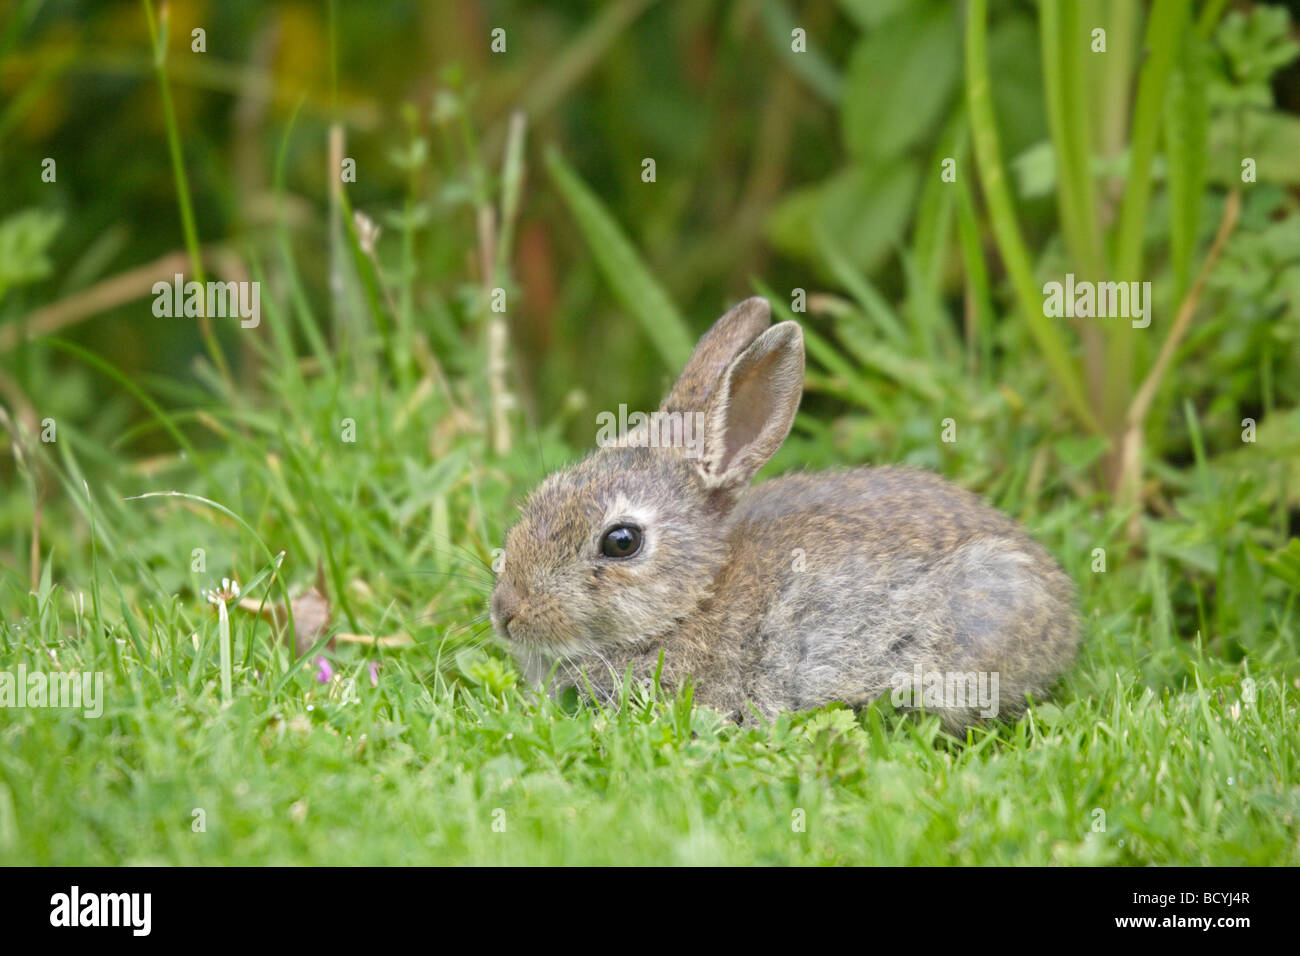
632, 284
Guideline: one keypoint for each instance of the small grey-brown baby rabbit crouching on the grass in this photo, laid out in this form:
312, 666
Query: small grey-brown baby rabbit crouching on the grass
801, 591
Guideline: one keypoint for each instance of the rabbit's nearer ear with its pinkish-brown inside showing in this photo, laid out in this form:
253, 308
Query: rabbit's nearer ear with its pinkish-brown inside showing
753, 408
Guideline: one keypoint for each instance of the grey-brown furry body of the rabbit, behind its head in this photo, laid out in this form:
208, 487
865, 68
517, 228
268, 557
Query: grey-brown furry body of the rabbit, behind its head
877, 574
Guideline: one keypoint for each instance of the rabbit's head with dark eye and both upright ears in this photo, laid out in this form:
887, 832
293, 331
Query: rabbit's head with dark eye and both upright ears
626, 544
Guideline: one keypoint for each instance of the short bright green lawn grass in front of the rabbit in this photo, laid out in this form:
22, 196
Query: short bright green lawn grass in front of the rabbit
417, 772
